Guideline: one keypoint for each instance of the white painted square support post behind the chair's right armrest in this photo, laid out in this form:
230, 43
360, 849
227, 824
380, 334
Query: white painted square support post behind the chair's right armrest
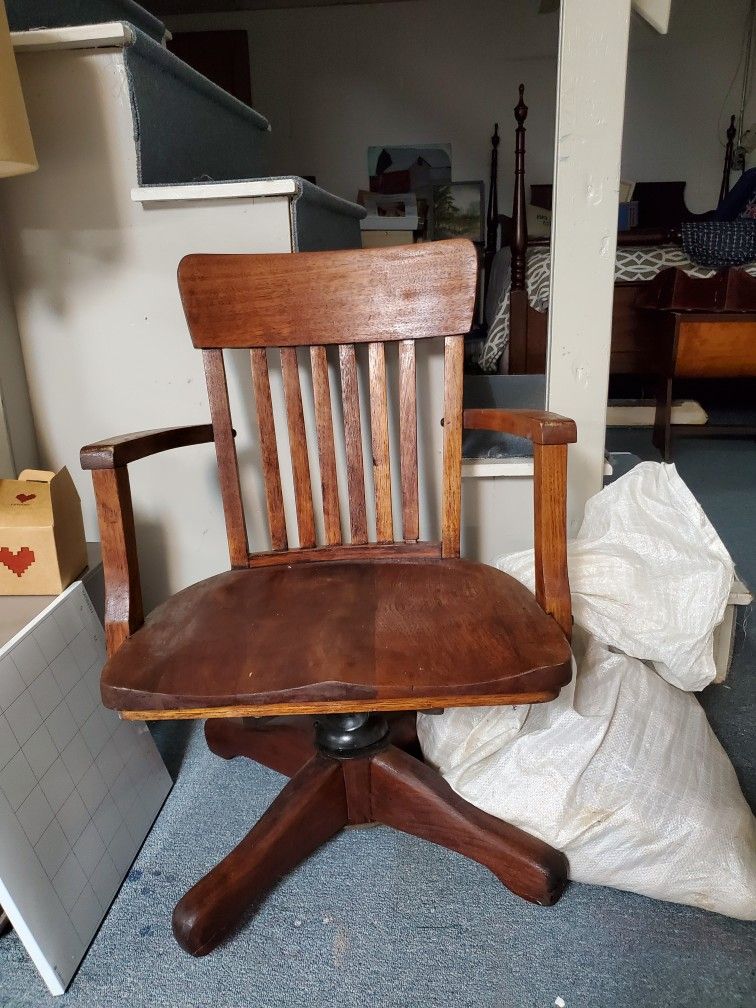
590, 111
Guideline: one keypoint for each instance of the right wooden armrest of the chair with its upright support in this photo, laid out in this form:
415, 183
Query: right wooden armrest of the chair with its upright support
551, 436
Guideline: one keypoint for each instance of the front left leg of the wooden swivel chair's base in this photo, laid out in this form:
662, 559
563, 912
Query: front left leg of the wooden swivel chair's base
310, 811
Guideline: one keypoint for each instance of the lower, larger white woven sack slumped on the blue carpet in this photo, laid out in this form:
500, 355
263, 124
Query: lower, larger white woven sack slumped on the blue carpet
622, 773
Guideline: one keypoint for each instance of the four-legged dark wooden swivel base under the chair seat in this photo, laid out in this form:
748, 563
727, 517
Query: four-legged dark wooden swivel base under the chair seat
354, 770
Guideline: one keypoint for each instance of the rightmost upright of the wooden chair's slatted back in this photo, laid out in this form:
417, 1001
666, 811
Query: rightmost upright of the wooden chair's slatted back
452, 494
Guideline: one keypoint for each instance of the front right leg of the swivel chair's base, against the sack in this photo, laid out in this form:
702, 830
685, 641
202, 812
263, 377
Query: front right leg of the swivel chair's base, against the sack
412, 797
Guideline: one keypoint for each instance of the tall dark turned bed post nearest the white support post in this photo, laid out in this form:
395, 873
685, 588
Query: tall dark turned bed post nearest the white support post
519, 295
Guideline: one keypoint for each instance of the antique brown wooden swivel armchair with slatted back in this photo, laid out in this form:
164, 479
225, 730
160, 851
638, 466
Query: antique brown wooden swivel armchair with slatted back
355, 629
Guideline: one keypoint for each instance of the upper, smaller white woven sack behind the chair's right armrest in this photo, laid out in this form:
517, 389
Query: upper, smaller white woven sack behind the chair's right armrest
649, 574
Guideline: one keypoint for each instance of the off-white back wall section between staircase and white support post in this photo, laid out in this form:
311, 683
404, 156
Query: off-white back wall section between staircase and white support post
335, 80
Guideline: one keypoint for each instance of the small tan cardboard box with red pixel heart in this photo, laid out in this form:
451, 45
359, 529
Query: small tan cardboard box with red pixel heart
43, 549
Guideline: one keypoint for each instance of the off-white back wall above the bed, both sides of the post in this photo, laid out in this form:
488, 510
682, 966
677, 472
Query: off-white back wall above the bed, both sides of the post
335, 80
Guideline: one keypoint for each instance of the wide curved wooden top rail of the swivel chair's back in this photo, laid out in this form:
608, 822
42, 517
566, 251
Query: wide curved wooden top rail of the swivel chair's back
352, 296
